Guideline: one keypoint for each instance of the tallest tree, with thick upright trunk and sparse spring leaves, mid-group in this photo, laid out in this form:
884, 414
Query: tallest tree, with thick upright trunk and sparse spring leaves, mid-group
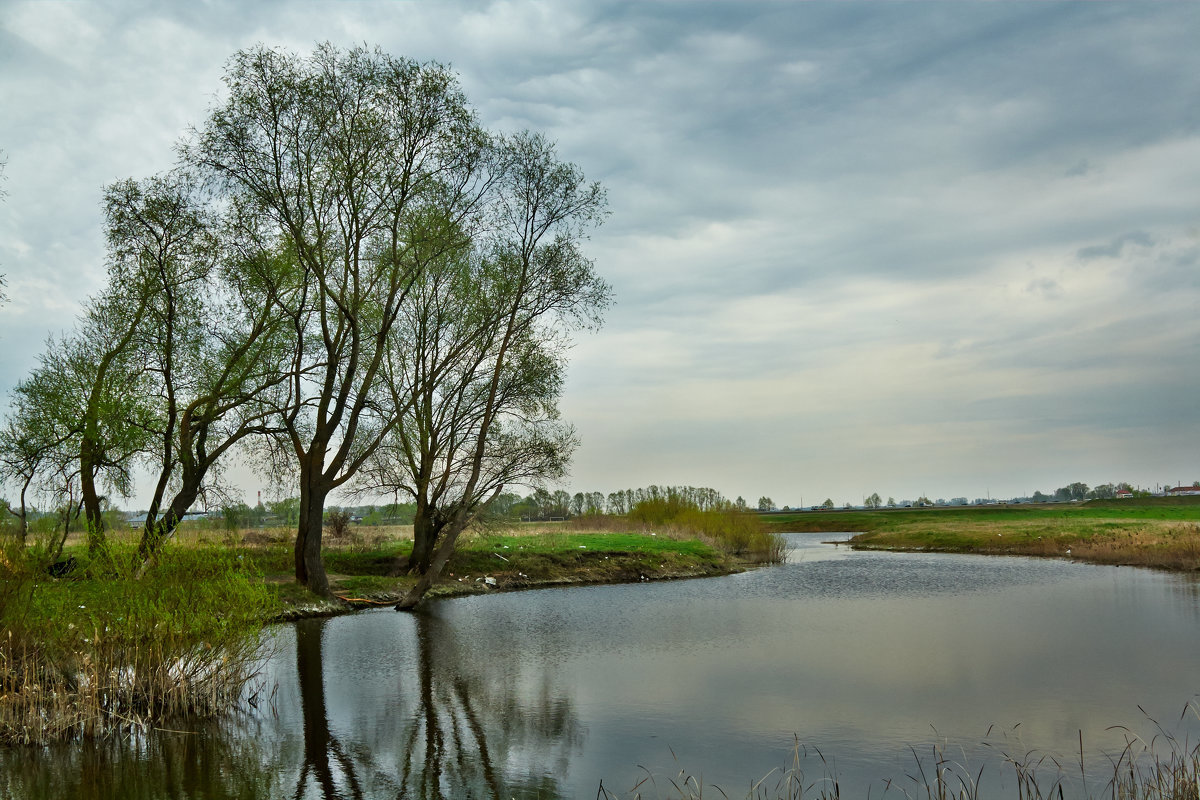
364, 167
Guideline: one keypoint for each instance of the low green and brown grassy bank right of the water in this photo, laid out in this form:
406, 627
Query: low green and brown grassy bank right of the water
1162, 533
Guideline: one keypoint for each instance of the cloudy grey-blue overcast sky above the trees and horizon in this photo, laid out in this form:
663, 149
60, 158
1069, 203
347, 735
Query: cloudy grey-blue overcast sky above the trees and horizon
911, 249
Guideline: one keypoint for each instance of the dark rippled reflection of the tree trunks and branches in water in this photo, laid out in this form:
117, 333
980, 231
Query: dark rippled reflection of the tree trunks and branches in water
460, 735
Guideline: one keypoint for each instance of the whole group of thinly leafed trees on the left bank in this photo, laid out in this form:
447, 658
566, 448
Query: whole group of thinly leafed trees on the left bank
346, 279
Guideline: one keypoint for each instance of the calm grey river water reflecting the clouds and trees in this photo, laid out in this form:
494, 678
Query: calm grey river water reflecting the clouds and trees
859, 664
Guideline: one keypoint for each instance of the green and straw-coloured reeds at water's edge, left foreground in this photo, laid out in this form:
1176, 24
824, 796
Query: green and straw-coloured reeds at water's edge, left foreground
99, 652
